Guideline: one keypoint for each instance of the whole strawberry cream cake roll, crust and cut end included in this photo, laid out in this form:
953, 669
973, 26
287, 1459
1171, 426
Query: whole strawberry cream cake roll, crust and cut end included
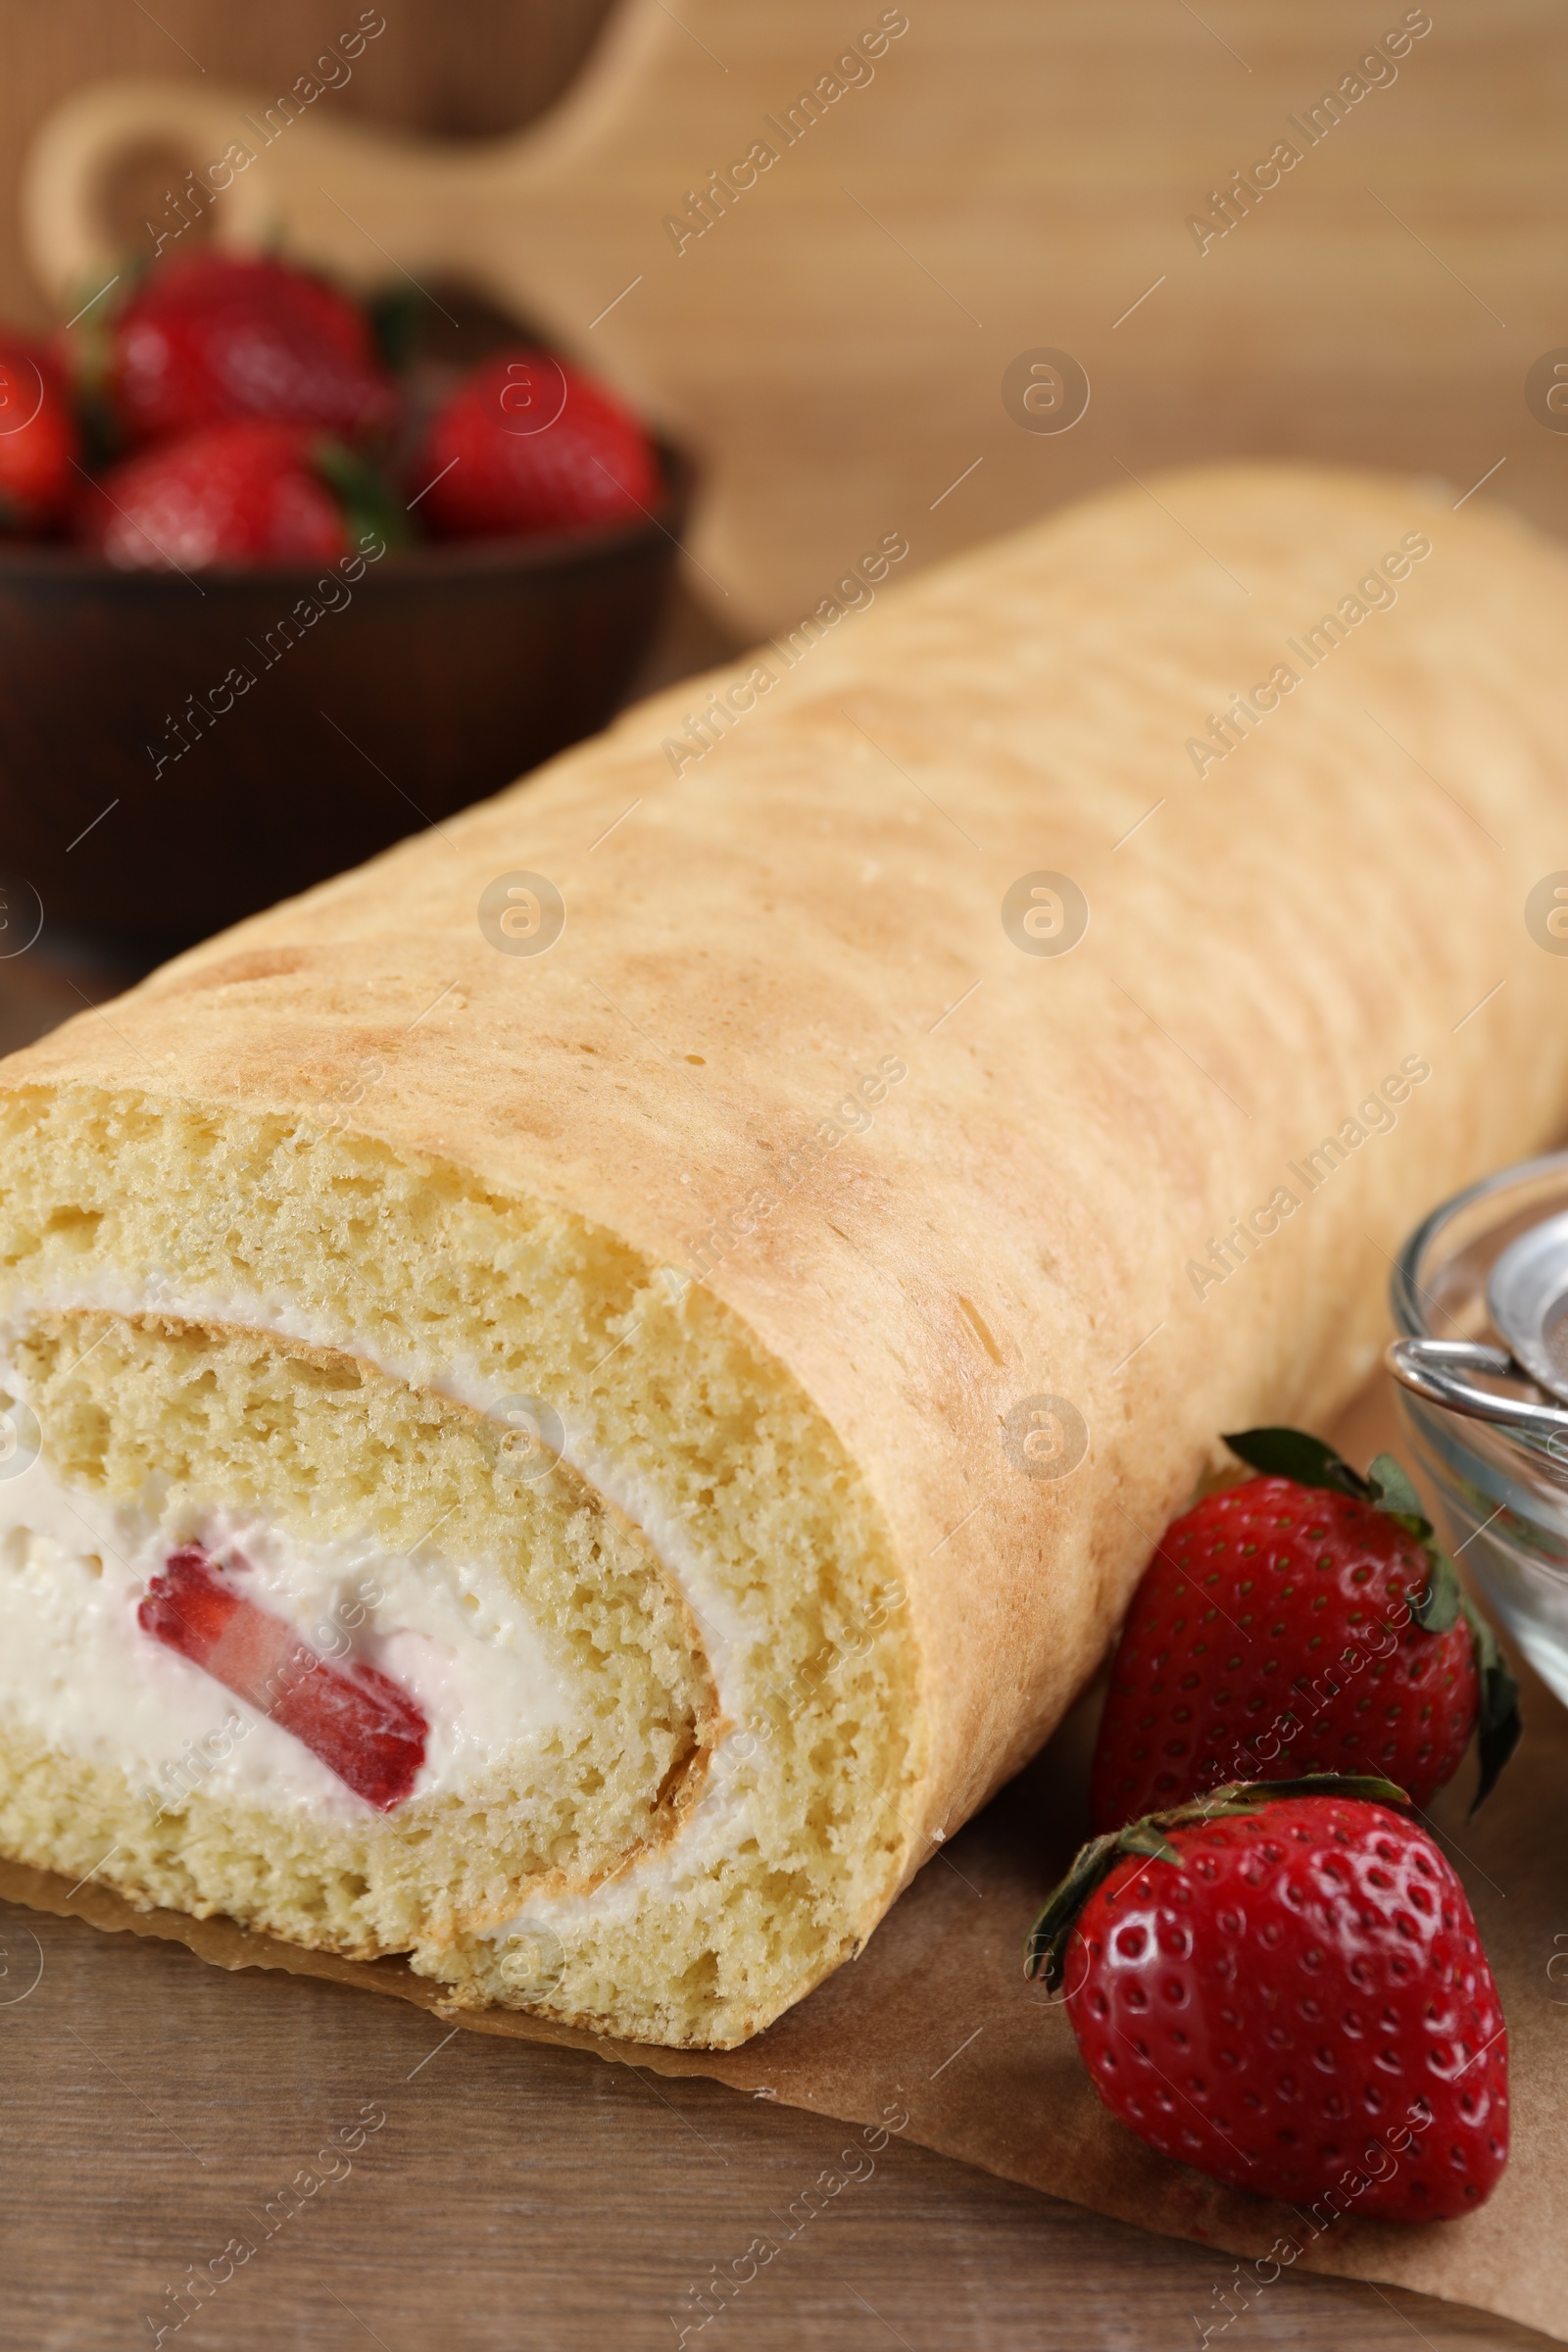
572, 1403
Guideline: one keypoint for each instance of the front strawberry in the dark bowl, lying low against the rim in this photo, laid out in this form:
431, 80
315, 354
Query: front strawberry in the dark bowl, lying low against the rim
232, 495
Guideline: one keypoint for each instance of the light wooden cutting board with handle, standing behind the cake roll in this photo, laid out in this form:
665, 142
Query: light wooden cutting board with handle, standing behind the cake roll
869, 260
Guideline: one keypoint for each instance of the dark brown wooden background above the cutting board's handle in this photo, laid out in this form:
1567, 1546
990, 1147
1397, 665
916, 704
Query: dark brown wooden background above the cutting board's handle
450, 67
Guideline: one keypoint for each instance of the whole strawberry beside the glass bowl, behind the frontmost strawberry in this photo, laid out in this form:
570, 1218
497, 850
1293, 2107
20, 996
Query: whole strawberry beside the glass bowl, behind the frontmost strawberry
1304, 1622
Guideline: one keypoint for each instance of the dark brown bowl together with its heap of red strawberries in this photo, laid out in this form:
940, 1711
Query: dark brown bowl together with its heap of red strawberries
295, 655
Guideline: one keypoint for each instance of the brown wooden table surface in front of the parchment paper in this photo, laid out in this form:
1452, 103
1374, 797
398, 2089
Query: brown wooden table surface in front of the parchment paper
514, 2198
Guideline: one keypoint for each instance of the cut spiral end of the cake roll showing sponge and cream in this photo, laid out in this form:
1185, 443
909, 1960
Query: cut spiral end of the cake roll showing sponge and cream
391, 1655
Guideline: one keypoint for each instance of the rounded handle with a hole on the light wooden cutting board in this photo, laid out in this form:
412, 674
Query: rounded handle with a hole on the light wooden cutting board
361, 203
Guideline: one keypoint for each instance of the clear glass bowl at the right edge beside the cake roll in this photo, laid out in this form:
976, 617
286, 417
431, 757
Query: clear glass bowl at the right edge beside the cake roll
1499, 1450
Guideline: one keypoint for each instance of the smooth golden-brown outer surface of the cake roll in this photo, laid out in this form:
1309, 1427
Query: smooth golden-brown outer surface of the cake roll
819, 895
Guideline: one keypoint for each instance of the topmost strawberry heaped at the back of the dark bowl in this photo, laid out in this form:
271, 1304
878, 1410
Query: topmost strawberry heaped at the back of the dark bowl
220, 338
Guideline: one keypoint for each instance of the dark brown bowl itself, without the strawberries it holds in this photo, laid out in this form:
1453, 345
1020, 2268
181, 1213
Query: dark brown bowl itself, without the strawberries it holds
180, 751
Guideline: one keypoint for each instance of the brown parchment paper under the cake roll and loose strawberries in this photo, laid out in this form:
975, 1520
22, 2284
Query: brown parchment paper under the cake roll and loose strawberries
937, 2022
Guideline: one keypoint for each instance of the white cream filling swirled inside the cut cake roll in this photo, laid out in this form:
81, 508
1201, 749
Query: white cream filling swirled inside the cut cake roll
76, 1664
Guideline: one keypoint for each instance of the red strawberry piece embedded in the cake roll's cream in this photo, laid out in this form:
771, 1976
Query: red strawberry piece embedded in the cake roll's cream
354, 1718
